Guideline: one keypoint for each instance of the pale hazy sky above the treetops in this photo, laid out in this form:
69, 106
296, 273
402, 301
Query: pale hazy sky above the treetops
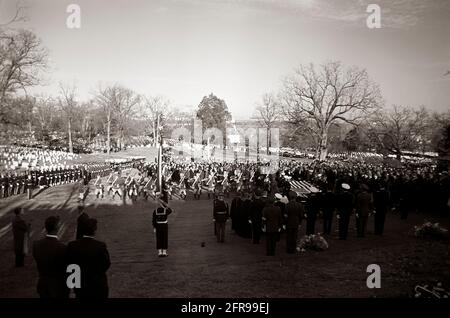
240, 49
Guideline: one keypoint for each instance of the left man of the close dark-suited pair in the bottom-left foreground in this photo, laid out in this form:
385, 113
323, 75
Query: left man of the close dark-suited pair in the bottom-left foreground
51, 260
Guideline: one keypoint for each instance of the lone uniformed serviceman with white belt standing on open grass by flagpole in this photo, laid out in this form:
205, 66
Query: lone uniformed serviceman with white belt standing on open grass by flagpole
161, 228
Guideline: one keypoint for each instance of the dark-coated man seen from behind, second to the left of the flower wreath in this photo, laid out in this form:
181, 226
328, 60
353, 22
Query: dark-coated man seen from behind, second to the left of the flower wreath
273, 219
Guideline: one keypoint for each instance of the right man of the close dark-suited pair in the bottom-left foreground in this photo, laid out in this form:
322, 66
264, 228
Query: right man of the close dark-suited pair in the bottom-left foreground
93, 258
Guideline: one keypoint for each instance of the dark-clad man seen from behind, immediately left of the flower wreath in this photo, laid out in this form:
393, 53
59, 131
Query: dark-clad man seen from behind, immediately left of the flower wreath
293, 213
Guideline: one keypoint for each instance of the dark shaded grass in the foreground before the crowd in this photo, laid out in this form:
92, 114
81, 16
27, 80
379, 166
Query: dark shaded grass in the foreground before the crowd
234, 269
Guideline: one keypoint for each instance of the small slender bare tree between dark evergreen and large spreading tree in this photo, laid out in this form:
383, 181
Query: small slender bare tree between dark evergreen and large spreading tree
268, 112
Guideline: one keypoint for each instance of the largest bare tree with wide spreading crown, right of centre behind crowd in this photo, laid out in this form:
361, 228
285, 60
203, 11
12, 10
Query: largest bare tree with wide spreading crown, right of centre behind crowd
319, 98
